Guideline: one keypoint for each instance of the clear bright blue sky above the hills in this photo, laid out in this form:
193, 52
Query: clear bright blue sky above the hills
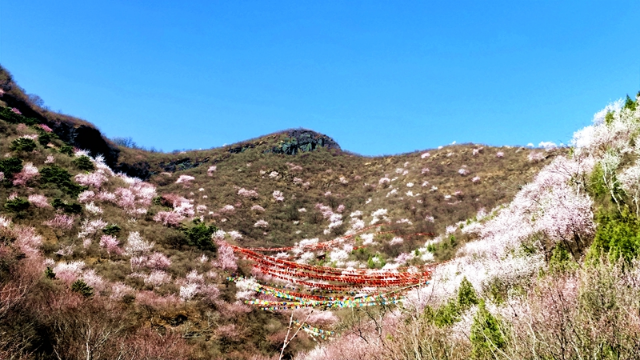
379, 77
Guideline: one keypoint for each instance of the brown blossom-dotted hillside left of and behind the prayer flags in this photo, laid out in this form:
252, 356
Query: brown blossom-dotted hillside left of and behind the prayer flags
126, 234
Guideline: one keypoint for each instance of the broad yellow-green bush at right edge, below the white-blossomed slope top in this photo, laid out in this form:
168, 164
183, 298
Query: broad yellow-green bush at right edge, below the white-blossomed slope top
617, 235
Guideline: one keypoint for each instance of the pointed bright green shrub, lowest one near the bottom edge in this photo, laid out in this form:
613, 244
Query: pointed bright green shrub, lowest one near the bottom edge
487, 334
